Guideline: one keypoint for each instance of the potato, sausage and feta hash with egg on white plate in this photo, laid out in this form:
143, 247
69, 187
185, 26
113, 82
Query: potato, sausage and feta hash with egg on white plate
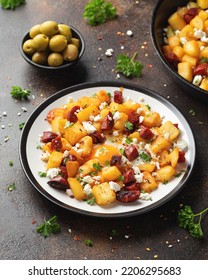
107, 148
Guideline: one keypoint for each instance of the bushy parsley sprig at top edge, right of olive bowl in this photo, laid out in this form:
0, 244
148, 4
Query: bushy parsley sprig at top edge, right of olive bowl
98, 12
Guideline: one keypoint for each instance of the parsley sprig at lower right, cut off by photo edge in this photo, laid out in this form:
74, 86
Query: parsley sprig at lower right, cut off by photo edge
191, 221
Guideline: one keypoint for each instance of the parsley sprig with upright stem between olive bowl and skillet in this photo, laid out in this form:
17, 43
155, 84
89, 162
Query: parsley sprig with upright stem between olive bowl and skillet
129, 66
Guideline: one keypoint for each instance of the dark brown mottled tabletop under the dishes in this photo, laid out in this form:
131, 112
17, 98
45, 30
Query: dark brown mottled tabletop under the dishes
24, 206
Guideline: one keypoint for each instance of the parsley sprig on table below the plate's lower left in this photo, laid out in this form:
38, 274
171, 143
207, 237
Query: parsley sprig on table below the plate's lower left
49, 227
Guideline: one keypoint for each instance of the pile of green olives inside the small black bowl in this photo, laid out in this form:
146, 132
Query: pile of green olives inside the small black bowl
51, 44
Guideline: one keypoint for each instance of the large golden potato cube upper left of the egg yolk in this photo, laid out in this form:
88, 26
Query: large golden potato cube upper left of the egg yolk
74, 133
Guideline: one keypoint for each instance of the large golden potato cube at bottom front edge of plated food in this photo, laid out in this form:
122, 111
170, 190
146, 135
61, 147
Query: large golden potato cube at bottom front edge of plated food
103, 194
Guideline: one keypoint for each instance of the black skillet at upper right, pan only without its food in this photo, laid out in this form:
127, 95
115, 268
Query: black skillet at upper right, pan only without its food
159, 21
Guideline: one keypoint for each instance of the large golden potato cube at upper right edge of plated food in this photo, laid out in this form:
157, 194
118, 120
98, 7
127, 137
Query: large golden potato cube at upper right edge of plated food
169, 131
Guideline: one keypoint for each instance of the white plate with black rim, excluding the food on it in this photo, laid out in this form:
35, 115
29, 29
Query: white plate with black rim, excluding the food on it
36, 124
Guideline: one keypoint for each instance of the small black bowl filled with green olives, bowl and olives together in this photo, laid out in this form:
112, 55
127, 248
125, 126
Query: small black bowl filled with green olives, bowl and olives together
52, 46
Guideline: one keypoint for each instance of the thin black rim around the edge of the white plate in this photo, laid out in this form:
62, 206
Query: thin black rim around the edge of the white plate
66, 91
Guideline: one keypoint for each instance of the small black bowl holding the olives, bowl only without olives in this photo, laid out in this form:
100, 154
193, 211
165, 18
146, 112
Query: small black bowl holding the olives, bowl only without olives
65, 65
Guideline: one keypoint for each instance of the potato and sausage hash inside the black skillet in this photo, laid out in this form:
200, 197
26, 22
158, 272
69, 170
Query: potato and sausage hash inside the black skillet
186, 42
